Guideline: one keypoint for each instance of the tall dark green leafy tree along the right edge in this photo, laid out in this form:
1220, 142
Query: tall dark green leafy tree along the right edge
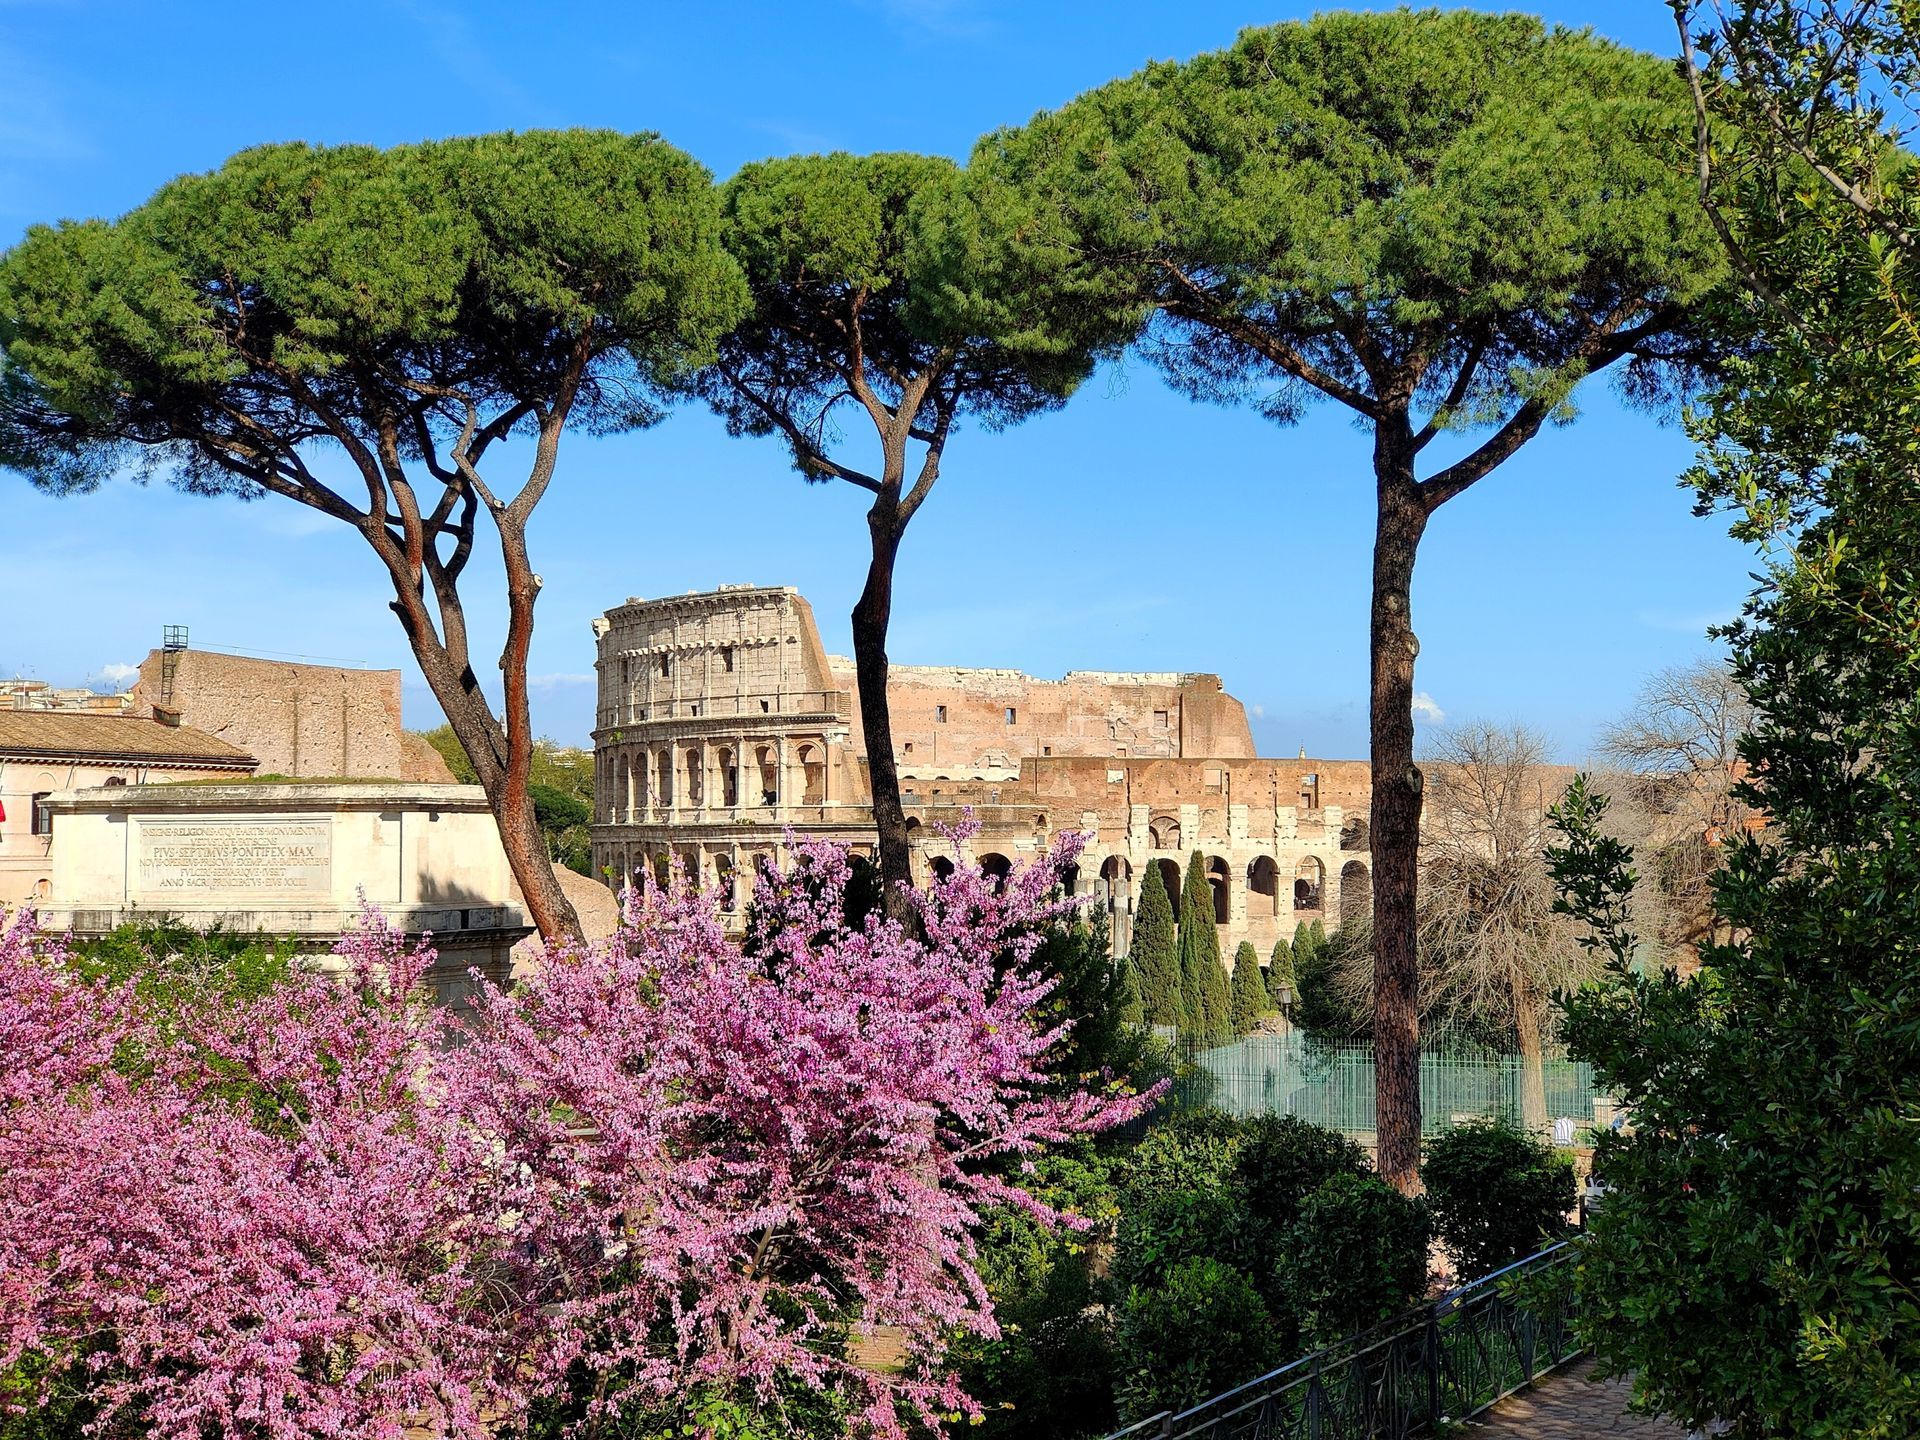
1756, 1255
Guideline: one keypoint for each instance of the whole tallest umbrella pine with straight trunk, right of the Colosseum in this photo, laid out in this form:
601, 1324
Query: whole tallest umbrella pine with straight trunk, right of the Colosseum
1441, 222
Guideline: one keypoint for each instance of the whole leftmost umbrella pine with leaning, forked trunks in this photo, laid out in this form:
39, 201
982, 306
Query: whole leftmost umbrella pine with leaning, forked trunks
435, 318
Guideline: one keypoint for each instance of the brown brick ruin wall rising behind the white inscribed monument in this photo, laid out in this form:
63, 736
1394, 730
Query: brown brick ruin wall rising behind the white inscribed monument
304, 721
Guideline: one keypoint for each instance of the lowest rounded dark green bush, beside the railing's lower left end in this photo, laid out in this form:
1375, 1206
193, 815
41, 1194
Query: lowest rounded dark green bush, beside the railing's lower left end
1201, 1332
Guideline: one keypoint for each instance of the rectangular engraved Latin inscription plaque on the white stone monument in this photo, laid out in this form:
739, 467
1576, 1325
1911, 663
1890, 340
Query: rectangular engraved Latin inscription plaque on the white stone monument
233, 857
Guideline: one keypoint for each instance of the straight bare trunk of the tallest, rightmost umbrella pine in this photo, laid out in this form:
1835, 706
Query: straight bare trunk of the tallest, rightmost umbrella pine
1397, 811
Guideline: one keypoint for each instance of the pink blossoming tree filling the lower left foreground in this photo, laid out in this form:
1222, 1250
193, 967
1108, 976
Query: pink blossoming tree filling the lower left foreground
661, 1168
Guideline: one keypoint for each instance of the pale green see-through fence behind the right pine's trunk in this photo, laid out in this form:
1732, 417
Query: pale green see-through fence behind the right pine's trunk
1333, 1084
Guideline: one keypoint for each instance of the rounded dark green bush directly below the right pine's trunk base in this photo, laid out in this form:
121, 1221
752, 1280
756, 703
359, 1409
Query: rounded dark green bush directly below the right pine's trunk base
1356, 1257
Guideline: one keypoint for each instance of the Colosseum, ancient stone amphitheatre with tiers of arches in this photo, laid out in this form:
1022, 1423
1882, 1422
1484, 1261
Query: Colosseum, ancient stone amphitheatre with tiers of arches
723, 725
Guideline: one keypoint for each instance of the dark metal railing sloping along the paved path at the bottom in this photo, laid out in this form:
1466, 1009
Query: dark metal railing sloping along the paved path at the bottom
1451, 1360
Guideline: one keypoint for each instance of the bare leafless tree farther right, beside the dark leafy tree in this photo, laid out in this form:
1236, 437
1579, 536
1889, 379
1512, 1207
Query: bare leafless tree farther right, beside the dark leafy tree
1675, 763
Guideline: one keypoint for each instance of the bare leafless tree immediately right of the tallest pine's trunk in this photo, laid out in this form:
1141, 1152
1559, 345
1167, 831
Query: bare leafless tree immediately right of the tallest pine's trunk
1491, 946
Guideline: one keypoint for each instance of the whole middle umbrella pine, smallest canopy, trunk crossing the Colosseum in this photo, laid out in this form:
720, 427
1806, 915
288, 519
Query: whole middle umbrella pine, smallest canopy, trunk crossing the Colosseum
894, 299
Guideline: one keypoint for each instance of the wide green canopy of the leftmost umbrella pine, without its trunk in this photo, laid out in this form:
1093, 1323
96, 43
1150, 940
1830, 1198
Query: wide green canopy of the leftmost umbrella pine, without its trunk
245, 306
